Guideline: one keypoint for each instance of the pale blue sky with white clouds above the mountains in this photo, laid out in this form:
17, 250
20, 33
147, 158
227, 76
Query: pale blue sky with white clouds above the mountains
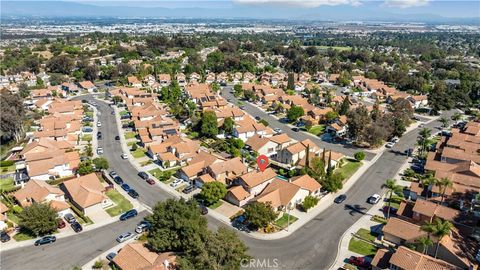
444, 8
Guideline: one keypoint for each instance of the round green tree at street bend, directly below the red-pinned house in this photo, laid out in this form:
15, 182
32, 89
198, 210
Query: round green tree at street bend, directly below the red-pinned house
259, 214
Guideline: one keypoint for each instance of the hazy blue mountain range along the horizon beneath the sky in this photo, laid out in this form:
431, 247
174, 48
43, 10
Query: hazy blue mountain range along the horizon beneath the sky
51, 9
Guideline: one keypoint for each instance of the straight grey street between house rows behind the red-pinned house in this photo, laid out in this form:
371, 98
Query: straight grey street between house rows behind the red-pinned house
299, 136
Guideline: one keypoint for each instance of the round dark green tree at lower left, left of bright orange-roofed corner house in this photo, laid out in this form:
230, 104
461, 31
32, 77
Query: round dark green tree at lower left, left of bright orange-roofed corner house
38, 219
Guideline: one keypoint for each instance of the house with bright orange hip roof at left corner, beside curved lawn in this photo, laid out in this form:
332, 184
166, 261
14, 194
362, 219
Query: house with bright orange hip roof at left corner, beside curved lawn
87, 193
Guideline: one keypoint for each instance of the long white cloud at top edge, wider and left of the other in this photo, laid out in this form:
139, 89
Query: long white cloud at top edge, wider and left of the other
300, 3
